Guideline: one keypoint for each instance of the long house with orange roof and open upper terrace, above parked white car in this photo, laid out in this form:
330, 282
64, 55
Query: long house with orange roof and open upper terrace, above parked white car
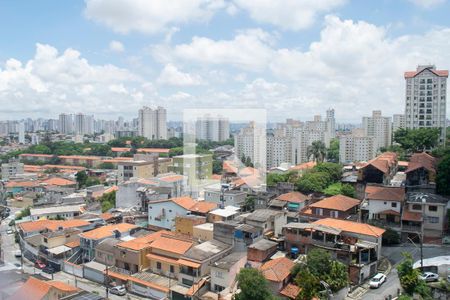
358, 245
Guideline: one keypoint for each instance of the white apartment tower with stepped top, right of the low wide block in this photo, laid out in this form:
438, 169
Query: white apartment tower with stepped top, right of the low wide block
380, 128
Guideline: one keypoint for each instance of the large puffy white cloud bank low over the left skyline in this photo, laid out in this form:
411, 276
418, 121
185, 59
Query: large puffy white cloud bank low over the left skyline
53, 82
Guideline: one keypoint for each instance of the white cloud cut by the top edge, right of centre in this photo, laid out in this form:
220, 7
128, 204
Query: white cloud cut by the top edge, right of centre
288, 14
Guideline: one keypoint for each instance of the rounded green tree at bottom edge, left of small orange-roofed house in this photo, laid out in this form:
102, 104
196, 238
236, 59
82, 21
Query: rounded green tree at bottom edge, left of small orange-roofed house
253, 286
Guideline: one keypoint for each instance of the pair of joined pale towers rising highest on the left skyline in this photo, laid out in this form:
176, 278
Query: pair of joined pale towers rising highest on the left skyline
152, 123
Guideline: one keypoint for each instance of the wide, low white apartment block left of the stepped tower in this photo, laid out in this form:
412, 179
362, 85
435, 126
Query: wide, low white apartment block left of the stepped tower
355, 148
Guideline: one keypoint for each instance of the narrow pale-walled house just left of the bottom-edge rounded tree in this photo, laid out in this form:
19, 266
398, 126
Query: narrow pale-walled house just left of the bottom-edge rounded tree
224, 271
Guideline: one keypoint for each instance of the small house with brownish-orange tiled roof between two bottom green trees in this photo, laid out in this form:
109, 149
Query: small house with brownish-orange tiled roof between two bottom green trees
278, 273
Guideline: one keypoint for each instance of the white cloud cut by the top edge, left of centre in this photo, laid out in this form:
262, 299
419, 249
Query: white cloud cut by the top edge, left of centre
149, 16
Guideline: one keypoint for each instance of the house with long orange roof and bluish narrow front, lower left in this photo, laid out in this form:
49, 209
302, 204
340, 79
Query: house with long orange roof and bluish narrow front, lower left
90, 239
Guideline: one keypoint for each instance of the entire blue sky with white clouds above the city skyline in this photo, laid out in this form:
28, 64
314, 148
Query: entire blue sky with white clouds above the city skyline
295, 58
